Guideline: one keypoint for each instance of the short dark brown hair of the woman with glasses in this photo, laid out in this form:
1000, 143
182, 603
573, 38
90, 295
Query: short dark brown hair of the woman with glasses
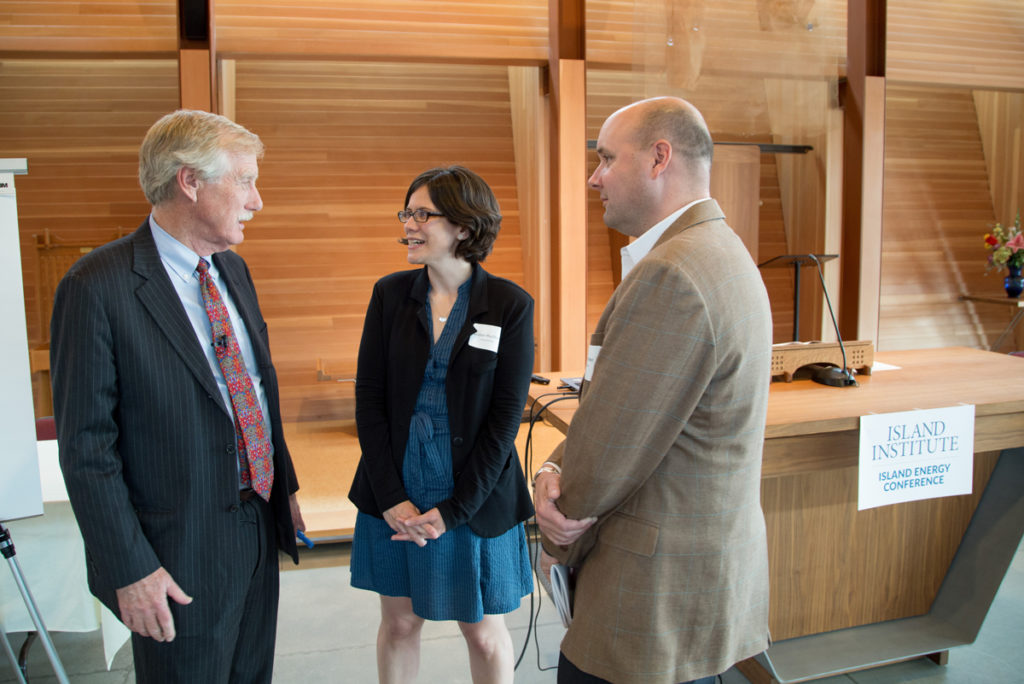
467, 201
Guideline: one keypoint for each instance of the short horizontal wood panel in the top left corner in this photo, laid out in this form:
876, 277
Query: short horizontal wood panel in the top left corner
79, 26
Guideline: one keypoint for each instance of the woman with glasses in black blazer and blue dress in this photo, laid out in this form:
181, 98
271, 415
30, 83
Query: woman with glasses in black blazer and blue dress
444, 371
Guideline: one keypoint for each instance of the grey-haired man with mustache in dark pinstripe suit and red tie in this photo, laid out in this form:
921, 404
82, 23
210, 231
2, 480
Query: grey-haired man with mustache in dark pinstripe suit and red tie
182, 538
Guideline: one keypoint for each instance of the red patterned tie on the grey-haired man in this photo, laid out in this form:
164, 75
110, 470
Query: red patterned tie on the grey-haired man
250, 433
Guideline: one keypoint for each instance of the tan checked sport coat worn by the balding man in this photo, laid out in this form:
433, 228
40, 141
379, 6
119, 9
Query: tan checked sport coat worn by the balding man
666, 450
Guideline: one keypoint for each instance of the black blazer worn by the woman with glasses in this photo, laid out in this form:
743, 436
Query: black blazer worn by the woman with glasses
487, 394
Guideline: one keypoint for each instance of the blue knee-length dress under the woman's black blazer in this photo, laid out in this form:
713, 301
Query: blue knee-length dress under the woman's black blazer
460, 576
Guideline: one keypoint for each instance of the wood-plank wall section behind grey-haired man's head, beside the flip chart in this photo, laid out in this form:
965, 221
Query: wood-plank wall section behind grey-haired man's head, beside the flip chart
79, 123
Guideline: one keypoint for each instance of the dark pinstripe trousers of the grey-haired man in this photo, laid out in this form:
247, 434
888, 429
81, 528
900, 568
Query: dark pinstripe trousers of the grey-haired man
235, 645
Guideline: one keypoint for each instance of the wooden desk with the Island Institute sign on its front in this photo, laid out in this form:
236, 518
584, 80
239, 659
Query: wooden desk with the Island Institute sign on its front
852, 590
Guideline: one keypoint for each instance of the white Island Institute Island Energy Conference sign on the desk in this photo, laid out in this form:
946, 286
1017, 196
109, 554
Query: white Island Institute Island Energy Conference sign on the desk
916, 455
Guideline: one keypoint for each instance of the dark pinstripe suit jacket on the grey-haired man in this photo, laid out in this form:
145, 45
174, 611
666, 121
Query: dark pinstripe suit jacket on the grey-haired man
147, 446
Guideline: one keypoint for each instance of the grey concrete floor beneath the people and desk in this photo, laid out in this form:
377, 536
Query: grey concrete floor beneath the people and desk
327, 633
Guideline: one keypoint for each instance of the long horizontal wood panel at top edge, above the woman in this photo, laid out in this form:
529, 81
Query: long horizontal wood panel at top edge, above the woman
498, 32
